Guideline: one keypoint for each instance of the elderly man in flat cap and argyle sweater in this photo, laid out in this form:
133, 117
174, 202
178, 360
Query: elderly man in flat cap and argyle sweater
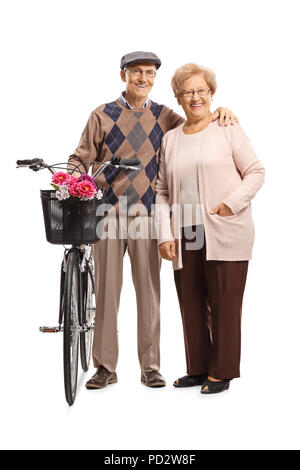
131, 126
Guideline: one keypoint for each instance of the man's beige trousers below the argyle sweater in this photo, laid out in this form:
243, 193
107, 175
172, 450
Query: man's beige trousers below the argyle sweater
145, 267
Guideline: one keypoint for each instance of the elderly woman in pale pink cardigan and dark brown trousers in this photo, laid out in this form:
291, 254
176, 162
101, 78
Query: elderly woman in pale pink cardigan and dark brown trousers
212, 172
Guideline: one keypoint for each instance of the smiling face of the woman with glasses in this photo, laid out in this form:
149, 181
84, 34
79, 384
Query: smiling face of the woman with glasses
195, 105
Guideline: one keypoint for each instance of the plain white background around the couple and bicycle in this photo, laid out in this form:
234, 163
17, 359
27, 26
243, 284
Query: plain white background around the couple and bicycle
60, 60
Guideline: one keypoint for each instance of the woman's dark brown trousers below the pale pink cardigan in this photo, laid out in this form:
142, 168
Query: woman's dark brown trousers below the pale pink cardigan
210, 295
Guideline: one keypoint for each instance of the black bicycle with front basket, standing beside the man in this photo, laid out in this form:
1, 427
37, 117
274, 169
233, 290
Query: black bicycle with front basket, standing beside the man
74, 222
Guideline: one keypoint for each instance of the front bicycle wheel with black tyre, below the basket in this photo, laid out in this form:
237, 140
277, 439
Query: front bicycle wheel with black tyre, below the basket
71, 326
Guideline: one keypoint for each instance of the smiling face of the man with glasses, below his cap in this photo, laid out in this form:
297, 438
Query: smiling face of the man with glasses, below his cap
139, 79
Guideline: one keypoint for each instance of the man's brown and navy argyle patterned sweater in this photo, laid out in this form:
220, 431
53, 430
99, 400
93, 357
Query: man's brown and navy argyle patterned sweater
113, 129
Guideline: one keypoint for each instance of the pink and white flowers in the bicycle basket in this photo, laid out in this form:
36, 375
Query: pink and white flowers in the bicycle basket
82, 187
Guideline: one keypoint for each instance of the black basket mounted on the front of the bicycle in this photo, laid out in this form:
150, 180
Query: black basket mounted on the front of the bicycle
71, 221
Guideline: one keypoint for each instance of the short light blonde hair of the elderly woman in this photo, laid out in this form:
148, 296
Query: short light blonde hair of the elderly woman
187, 71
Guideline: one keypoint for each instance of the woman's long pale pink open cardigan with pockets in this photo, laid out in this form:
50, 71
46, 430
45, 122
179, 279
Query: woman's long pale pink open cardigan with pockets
228, 171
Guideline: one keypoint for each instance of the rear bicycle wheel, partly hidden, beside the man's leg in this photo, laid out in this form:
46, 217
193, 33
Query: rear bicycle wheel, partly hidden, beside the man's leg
89, 309
